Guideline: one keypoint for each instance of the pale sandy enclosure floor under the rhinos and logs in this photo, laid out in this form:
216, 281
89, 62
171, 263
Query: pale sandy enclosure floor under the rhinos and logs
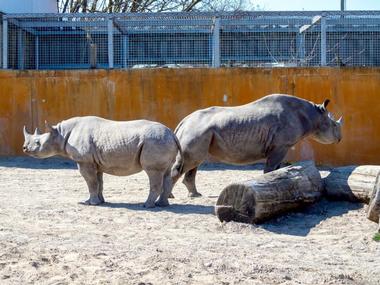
46, 237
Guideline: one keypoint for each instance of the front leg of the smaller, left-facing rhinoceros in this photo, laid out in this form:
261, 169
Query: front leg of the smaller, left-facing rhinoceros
90, 175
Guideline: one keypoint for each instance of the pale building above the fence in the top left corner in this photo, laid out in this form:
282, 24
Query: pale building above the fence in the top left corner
28, 6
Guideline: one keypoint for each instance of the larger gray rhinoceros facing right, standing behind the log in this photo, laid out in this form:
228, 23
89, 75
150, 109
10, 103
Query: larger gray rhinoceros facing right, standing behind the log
265, 128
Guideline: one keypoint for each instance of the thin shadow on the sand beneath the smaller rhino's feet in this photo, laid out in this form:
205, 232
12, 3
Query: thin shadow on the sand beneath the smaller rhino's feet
173, 208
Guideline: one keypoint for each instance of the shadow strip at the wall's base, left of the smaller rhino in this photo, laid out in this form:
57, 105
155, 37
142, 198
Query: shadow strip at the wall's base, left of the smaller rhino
36, 163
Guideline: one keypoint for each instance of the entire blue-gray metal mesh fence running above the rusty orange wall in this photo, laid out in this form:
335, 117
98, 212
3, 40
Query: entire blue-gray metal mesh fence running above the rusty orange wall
68, 41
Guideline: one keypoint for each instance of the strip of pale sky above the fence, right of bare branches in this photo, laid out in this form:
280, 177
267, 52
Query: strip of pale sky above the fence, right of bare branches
299, 5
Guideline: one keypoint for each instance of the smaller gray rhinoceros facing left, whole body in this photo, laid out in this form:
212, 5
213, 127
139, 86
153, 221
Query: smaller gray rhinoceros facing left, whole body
118, 148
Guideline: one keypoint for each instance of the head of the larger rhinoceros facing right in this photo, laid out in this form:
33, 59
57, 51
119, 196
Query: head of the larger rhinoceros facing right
328, 130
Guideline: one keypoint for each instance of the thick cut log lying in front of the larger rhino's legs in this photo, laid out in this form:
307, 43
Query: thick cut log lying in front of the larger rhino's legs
270, 194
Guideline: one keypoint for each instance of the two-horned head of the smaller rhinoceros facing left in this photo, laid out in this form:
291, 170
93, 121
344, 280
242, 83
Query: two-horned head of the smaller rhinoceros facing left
42, 145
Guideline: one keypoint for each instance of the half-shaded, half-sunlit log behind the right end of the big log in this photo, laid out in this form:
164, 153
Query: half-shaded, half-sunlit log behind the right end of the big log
351, 183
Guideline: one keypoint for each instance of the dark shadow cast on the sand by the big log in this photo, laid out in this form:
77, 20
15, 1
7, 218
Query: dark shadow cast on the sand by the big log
300, 223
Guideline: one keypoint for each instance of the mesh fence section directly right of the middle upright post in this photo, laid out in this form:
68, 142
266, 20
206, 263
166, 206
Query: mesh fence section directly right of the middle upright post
259, 40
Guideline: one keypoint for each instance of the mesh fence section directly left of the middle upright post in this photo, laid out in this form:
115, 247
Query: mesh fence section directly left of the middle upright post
157, 40
